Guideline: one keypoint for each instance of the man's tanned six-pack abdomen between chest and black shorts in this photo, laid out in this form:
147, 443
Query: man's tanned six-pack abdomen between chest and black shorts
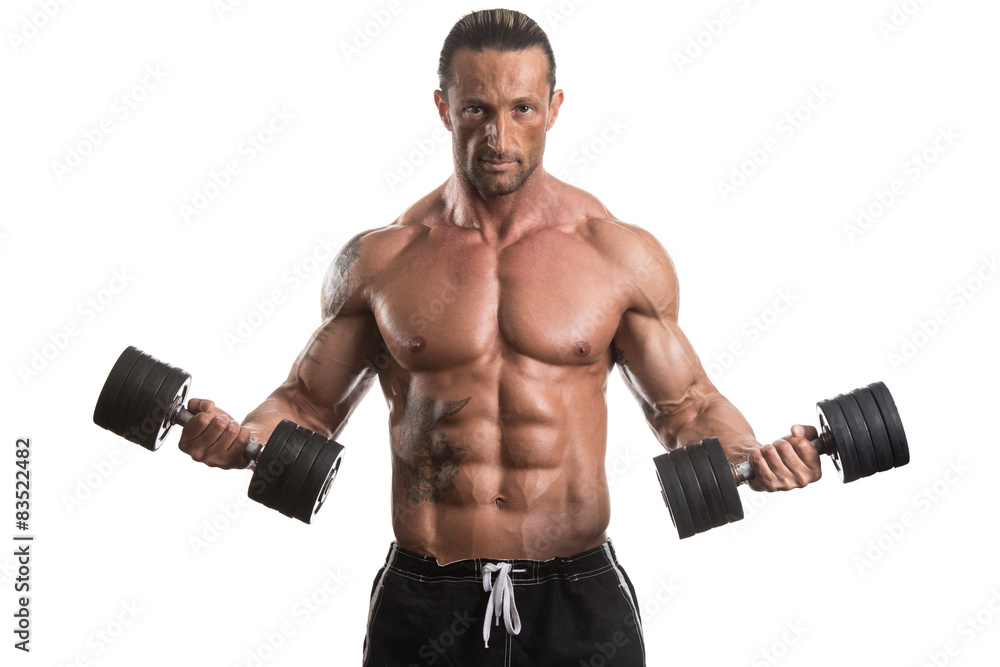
466, 487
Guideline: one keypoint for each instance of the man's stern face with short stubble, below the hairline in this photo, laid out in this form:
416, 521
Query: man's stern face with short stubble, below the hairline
498, 112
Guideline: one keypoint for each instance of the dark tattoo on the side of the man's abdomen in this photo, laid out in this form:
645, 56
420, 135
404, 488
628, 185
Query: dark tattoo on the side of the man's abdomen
429, 462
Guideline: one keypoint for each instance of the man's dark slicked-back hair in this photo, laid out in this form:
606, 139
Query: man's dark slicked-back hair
497, 29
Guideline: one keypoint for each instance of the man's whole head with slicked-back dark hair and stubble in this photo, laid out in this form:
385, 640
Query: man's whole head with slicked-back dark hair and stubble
497, 98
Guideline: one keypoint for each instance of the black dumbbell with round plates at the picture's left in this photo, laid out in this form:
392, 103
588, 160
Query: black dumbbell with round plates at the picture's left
143, 397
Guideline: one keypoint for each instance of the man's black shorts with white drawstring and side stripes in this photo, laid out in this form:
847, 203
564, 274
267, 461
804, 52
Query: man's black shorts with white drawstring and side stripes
573, 611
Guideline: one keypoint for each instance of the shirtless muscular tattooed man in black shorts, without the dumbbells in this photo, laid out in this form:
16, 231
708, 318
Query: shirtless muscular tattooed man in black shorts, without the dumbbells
497, 415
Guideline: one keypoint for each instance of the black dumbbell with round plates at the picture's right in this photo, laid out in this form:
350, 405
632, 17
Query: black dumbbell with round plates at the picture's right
861, 431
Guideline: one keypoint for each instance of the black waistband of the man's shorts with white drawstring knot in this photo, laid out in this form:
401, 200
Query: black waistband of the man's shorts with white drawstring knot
523, 570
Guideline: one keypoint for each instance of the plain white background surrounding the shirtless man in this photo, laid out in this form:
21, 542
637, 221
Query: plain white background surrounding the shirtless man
120, 529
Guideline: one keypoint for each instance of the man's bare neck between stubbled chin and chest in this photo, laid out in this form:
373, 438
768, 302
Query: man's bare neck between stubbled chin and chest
498, 216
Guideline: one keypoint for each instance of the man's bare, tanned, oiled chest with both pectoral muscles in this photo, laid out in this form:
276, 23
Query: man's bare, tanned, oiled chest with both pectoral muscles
452, 301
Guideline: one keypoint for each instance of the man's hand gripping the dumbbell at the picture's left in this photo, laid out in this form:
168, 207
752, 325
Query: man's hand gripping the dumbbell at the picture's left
213, 437
